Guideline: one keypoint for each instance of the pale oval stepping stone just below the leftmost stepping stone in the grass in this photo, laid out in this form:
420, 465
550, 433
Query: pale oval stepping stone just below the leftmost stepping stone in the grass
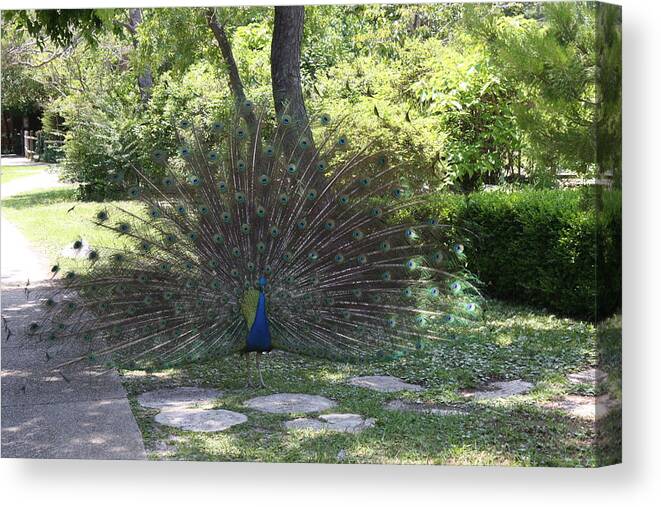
198, 419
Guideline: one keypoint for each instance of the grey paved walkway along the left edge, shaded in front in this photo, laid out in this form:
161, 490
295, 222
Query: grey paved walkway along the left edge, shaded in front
43, 416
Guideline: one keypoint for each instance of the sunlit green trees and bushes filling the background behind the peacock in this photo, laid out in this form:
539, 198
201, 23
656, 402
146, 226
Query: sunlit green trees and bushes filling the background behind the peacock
459, 95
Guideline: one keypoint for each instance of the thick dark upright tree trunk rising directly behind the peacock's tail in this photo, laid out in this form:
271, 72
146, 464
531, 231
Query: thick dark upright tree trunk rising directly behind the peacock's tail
286, 75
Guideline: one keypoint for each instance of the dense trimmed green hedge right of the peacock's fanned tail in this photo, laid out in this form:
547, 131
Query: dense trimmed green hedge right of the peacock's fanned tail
539, 247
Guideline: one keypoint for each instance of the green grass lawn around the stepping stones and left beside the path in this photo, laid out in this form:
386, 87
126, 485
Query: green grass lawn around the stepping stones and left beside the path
508, 342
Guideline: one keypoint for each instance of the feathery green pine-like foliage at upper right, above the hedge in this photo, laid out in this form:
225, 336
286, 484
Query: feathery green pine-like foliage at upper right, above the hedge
548, 52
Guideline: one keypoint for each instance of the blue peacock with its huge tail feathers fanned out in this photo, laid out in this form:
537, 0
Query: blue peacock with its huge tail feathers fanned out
245, 241
